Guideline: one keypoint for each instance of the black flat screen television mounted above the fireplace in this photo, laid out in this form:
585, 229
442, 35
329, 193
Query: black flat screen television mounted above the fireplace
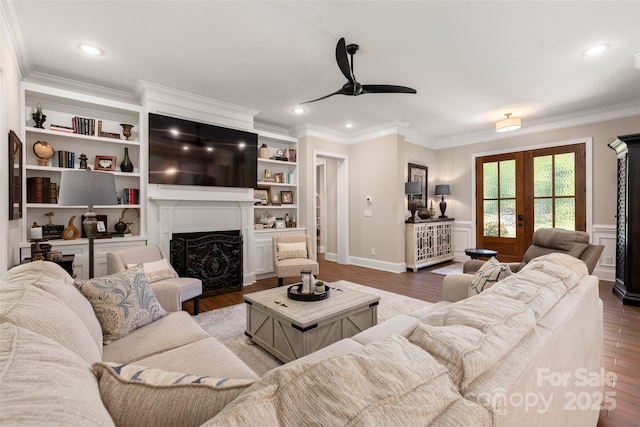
184, 152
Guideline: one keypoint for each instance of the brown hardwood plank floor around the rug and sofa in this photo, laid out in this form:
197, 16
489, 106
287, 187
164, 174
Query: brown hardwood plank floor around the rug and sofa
621, 325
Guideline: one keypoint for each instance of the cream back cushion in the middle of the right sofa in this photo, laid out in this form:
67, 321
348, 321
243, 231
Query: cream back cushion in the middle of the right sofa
470, 336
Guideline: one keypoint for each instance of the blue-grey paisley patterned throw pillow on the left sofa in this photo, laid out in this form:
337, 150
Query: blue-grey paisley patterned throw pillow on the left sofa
122, 302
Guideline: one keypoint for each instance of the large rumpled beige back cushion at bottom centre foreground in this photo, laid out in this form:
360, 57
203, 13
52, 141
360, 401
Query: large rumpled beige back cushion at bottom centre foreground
389, 382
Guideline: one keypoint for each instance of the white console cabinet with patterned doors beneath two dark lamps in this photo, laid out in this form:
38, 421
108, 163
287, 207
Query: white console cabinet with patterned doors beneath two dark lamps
428, 242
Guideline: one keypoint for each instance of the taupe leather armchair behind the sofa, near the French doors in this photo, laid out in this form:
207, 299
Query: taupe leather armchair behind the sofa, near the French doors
550, 240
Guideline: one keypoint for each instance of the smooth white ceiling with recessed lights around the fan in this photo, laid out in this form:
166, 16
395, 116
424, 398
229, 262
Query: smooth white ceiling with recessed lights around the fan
470, 62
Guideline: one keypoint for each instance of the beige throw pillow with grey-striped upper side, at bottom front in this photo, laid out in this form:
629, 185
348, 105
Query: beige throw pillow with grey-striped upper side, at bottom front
136, 395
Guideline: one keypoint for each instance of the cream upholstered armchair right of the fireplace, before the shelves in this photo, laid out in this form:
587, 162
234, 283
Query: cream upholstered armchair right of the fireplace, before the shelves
292, 254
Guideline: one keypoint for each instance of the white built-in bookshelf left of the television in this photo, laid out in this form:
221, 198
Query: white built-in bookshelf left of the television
79, 131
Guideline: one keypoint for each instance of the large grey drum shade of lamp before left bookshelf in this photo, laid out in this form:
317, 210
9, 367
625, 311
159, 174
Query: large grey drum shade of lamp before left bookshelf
87, 188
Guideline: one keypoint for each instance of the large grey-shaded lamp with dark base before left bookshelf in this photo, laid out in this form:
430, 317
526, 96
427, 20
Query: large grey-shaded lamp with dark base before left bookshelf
87, 188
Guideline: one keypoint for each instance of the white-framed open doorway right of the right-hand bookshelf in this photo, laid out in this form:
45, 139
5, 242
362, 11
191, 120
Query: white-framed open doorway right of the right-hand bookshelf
330, 214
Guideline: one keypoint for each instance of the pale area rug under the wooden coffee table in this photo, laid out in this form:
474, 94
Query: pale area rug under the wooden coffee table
228, 325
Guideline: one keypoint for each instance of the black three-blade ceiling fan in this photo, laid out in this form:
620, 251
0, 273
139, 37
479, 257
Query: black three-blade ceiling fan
352, 87
